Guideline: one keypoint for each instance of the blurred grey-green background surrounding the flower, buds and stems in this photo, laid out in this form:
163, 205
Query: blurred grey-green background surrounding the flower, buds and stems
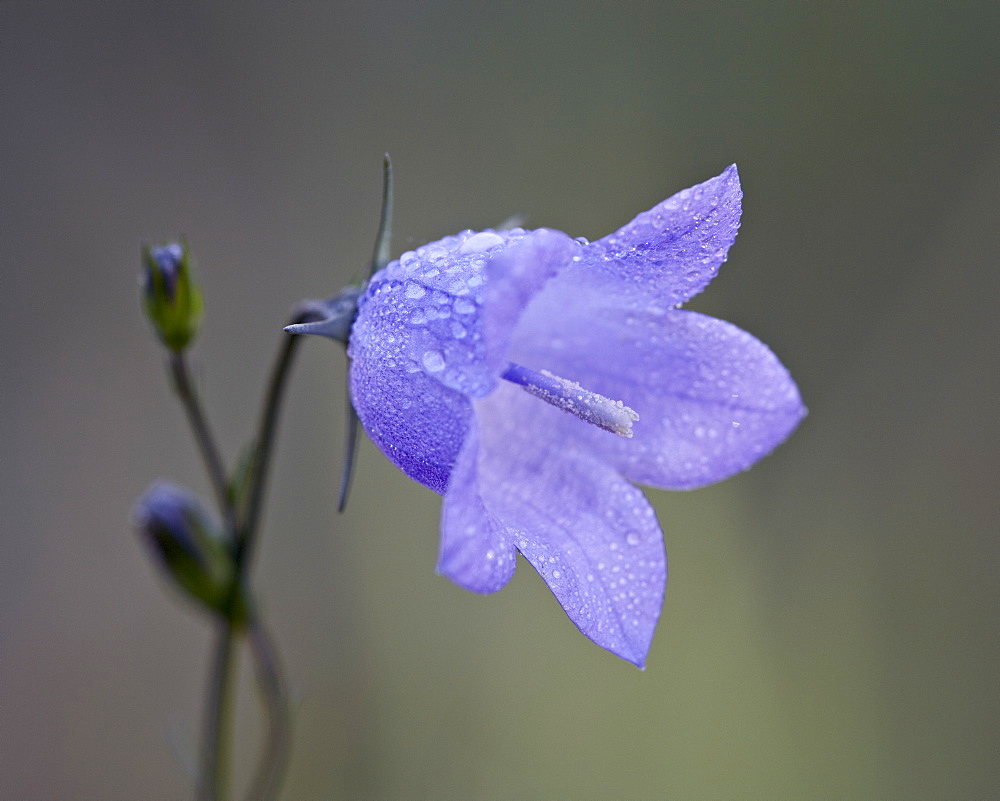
830, 627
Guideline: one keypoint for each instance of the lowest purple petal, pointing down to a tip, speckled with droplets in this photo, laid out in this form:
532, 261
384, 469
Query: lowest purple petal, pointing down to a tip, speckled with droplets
590, 534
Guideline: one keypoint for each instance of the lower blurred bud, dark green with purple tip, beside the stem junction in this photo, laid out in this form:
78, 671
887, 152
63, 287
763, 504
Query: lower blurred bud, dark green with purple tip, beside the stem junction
186, 545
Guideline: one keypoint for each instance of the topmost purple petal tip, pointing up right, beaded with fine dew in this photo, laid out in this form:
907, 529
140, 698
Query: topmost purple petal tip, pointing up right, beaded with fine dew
672, 251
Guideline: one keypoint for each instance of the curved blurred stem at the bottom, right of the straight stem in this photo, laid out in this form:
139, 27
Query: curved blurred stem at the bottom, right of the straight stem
270, 684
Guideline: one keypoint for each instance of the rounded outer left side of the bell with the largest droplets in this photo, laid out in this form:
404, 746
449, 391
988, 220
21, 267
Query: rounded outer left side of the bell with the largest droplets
432, 331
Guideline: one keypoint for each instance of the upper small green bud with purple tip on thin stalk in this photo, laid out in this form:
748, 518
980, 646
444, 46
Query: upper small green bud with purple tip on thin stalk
172, 301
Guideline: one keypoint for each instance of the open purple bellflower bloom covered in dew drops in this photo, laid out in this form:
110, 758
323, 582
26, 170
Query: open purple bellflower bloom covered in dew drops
530, 378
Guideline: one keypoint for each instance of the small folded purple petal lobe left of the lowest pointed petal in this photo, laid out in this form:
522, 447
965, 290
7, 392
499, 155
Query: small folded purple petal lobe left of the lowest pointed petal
477, 550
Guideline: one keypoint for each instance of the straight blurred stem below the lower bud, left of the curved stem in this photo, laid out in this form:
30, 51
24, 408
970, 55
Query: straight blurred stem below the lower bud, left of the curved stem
216, 756
